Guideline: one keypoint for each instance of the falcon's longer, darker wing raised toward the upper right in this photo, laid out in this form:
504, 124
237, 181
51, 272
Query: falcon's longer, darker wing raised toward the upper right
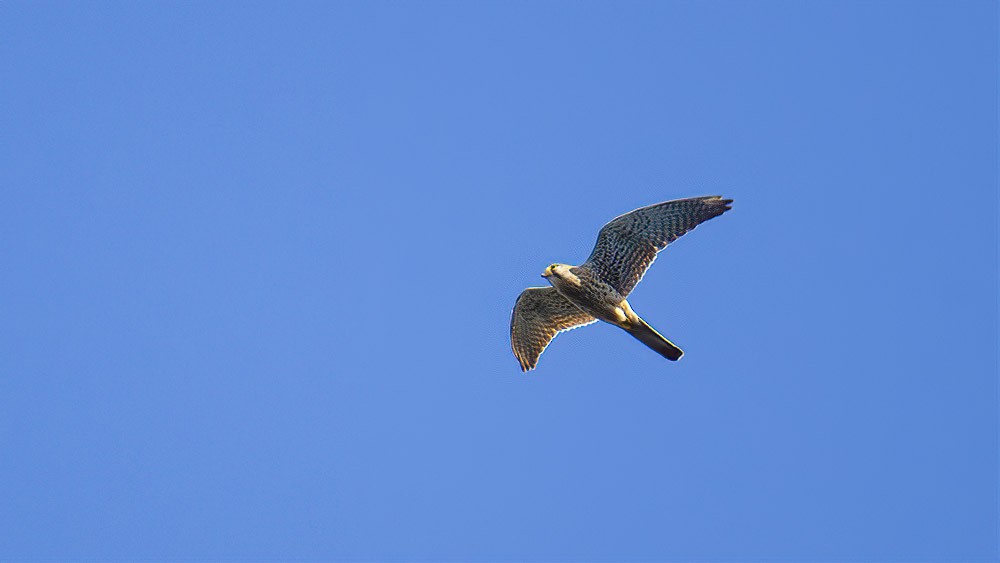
628, 244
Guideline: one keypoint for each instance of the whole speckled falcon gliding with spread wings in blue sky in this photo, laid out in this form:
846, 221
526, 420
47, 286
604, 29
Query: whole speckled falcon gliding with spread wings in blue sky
597, 289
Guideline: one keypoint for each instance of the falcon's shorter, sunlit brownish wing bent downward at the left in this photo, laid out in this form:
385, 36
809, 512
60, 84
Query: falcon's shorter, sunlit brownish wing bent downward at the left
539, 314
